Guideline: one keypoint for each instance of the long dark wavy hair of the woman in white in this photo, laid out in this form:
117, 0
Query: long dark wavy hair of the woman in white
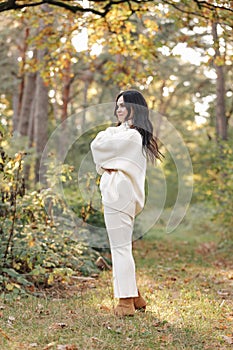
136, 103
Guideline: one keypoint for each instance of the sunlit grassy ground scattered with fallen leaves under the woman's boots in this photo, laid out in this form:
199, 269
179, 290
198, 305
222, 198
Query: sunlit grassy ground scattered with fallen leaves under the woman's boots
186, 278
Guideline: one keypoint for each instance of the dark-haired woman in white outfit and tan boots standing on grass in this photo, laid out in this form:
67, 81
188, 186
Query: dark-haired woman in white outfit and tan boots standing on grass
120, 154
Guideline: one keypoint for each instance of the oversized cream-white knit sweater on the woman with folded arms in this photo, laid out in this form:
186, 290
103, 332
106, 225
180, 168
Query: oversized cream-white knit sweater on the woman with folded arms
120, 148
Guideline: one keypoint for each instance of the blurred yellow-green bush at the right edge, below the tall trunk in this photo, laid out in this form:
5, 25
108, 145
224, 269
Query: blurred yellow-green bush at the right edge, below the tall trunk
215, 181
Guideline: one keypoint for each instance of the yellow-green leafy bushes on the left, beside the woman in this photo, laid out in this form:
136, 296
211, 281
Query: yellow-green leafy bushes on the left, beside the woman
36, 249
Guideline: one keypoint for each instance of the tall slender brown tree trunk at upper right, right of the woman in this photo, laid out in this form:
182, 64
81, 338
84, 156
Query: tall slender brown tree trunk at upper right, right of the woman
221, 120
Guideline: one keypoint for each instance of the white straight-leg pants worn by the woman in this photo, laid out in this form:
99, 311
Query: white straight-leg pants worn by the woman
119, 226
